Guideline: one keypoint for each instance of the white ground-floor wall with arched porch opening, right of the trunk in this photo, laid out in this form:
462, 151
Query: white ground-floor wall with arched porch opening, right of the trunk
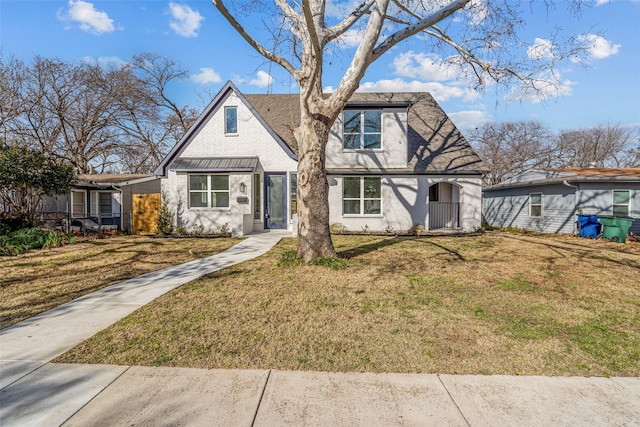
405, 203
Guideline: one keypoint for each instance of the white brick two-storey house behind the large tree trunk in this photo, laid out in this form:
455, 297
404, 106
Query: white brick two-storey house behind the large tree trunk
393, 160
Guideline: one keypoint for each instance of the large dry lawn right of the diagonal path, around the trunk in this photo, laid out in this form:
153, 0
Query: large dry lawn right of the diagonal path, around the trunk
498, 303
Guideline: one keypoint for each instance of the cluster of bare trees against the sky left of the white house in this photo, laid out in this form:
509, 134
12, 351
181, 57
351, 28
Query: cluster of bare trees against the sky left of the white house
108, 118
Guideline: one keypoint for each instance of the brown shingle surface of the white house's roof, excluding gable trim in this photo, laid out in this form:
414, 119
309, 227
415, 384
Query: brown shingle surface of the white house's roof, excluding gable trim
435, 144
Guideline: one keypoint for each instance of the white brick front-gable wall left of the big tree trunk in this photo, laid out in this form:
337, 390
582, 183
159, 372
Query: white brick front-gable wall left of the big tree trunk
252, 140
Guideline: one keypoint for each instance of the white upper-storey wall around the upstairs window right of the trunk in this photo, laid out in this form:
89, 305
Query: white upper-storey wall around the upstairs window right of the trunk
393, 153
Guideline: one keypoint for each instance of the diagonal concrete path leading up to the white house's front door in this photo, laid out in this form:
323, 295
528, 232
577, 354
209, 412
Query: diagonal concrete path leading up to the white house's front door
30, 344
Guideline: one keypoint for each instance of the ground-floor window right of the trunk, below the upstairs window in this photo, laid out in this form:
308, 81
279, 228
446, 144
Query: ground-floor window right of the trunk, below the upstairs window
362, 196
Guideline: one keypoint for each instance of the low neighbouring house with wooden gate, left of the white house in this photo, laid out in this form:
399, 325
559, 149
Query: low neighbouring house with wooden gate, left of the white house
100, 202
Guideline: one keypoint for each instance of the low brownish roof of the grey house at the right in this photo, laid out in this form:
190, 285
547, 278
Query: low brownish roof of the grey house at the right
552, 176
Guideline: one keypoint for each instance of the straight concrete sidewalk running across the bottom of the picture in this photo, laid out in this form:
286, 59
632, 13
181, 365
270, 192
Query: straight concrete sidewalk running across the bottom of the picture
104, 395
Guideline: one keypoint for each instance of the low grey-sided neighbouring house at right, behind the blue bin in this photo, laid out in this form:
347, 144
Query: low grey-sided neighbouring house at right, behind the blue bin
547, 200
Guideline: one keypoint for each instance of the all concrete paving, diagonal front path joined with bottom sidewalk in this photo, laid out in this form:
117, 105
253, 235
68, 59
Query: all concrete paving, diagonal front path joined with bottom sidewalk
34, 392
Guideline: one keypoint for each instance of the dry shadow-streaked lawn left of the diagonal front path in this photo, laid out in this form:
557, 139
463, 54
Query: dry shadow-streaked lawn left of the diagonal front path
41, 280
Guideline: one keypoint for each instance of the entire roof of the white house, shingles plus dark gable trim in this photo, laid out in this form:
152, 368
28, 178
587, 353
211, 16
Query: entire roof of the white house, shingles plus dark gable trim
435, 145
